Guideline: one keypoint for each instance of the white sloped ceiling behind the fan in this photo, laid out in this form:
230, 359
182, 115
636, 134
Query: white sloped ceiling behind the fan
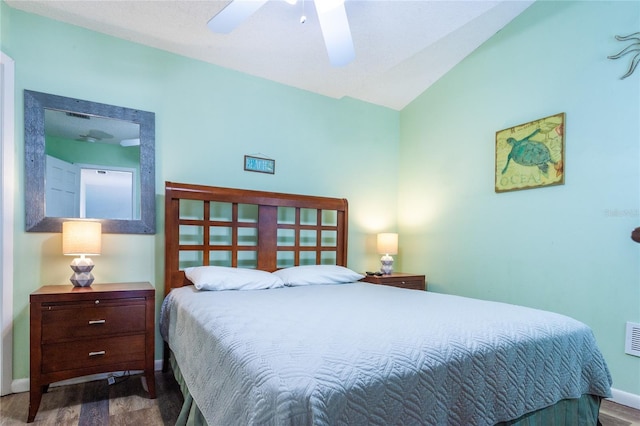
402, 47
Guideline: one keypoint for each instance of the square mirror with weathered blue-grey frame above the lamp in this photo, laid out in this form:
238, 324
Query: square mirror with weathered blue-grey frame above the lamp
88, 160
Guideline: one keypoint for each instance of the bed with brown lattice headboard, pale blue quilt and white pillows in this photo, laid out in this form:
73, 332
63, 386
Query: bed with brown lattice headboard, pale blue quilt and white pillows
293, 338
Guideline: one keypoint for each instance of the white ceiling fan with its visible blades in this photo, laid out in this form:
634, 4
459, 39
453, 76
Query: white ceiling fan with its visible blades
332, 17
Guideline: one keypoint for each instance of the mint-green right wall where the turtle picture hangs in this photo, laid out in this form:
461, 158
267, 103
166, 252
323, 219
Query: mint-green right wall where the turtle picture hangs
564, 248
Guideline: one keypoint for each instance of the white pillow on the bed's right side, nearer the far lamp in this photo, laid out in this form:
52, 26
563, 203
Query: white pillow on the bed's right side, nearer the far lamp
317, 274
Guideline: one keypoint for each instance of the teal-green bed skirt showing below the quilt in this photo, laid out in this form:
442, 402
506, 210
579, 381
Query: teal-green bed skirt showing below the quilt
567, 412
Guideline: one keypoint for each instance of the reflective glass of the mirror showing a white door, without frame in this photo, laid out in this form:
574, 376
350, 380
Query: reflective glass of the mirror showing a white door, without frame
92, 166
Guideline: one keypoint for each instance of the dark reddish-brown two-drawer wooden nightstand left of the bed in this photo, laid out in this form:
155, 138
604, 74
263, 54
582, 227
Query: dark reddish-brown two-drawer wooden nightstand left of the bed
77, 331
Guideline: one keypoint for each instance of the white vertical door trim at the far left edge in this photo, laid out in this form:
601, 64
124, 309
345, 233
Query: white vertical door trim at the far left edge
7, 180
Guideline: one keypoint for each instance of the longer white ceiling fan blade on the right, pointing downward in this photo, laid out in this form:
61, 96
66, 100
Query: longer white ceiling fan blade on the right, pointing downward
335, 30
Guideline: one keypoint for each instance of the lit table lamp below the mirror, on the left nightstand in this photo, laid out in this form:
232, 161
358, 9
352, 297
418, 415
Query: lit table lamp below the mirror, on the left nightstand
81, 238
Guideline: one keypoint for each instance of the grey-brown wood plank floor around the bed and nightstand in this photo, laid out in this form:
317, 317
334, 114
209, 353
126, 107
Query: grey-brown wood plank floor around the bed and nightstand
126, 403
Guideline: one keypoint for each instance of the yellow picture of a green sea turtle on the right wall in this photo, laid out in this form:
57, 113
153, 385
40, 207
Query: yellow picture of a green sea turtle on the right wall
530, 155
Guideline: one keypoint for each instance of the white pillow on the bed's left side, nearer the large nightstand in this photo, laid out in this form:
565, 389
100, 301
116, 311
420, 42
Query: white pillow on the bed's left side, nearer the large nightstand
225, 278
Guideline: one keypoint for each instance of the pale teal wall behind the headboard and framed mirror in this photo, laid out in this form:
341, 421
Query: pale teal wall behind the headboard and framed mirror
207, 119
